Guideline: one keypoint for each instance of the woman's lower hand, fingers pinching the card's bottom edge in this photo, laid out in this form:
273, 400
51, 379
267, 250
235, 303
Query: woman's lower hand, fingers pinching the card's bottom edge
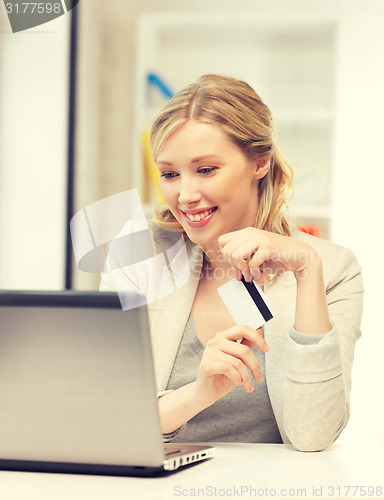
225, 361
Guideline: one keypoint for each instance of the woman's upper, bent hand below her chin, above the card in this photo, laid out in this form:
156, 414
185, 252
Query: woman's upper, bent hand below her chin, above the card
254, 252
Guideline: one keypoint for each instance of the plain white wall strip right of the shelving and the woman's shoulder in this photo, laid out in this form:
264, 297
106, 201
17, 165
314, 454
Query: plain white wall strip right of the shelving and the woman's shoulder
358, 193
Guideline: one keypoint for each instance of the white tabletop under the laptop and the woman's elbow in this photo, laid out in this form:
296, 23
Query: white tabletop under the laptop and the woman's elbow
237, 471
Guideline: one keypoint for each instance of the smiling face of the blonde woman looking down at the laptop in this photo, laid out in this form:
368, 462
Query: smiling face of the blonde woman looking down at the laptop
207, 182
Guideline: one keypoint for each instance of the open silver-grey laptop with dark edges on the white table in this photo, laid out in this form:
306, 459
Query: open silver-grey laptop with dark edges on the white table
77, 388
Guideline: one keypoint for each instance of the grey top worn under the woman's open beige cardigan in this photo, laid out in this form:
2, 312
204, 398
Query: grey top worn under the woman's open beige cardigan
238, 416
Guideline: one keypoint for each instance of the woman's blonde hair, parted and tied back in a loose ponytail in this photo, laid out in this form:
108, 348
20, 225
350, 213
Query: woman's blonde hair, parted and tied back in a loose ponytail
238, 110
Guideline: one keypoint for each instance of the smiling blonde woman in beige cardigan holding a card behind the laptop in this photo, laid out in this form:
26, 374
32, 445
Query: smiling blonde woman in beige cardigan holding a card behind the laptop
226, 187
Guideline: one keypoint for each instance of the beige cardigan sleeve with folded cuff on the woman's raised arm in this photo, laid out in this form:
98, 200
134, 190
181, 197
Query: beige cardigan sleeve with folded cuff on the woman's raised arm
318, 376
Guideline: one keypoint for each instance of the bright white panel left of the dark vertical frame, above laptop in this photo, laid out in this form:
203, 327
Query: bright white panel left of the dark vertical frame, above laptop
33, 154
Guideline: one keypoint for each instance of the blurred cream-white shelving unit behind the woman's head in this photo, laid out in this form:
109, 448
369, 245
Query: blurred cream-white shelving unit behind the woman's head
289, 61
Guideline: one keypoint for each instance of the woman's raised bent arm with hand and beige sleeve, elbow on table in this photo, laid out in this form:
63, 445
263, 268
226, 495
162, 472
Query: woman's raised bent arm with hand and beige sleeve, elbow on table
318, 367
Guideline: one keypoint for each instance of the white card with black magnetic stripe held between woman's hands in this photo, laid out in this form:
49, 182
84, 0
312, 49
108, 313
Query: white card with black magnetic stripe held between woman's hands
246, 302
